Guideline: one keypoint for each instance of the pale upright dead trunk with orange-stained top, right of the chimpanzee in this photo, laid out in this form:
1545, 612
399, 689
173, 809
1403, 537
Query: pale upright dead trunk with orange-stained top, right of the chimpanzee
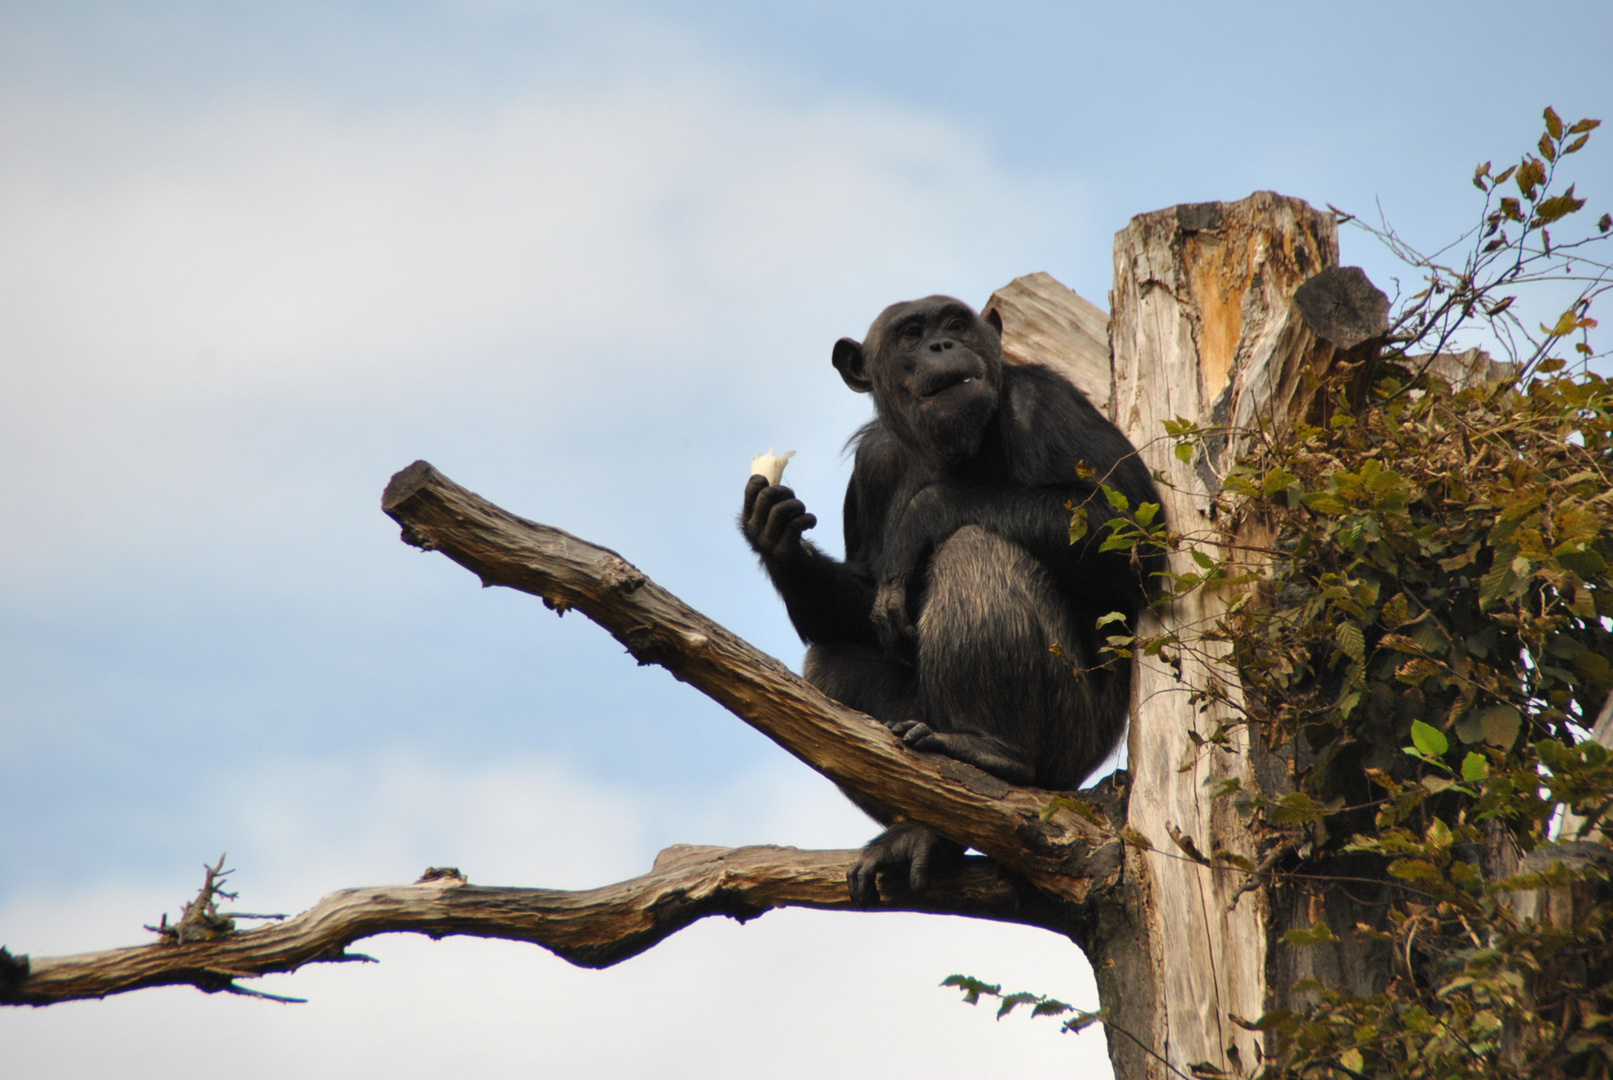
1206, 328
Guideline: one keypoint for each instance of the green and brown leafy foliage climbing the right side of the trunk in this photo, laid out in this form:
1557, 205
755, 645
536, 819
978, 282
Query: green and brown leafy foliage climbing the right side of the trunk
1430, 642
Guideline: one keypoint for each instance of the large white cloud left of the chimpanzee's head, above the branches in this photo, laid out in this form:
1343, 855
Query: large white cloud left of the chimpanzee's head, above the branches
223, 304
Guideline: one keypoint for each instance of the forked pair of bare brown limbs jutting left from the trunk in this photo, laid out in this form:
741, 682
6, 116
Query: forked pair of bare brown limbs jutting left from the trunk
1048, 852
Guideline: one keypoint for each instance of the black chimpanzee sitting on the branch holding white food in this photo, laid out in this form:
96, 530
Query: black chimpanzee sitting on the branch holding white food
964, 618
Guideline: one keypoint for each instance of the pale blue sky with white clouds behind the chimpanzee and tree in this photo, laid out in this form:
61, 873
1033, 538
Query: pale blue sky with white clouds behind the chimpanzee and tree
588, 260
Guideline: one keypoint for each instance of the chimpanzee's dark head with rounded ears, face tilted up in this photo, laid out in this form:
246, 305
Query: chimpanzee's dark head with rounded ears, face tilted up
935, 370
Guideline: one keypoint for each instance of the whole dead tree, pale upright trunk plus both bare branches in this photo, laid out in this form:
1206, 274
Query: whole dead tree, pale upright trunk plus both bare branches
1206, 328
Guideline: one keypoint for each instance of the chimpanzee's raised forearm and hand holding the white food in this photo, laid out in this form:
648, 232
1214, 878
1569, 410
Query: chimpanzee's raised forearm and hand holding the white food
828, 600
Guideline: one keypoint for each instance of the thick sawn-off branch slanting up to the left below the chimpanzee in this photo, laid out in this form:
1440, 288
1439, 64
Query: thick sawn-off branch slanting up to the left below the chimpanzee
1062, 855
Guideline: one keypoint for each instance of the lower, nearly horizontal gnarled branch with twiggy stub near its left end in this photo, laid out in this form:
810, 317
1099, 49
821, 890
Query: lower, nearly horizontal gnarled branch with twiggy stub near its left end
591, 929
